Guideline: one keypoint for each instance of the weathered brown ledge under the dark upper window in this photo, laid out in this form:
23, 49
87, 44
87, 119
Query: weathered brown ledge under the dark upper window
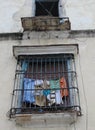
43, 23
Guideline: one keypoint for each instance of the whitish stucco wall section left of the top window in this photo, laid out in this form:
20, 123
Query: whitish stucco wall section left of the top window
11, 11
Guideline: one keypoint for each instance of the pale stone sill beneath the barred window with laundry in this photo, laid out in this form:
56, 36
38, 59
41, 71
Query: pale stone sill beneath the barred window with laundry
47, 119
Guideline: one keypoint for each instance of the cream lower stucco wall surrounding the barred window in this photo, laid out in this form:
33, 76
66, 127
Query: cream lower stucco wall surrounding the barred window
85, 64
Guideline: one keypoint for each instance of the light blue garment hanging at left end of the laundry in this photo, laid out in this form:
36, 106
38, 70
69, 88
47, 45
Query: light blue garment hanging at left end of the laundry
29, 94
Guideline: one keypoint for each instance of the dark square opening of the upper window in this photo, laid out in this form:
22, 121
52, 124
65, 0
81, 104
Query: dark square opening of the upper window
46, 8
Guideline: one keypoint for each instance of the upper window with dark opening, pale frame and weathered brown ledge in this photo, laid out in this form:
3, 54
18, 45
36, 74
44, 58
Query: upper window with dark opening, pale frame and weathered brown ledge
47, 15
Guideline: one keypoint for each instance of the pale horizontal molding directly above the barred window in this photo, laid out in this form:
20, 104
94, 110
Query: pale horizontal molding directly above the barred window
49, 49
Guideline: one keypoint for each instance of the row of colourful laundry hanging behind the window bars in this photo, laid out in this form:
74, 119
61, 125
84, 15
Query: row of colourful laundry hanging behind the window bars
44, 92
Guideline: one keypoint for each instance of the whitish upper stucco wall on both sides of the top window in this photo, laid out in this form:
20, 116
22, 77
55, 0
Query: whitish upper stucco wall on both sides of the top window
80, 12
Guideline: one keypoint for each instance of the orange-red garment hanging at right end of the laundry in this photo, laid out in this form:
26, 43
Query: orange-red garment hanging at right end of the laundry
63, 86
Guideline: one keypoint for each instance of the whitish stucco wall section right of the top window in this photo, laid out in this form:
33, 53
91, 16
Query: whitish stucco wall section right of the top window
81, 13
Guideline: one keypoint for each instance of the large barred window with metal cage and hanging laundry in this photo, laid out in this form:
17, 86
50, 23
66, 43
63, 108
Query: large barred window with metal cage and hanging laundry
45, 84
